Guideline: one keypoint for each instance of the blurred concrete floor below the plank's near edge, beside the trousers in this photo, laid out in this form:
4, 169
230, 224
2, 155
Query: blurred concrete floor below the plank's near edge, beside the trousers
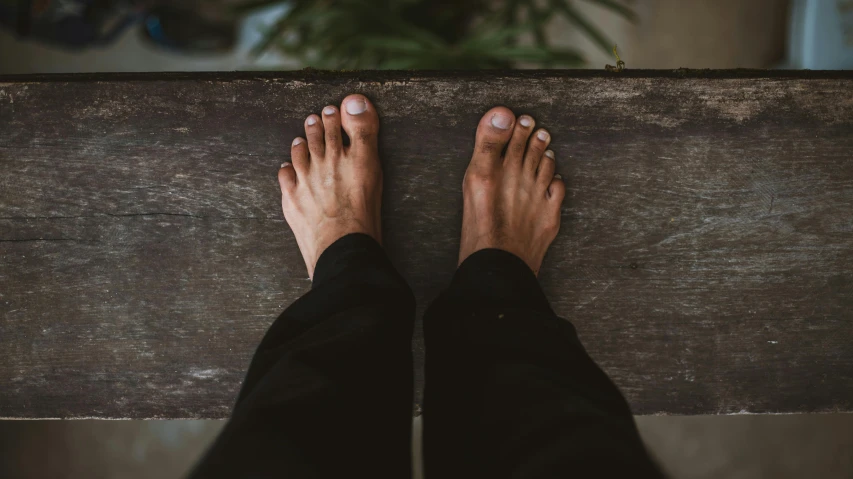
697, 447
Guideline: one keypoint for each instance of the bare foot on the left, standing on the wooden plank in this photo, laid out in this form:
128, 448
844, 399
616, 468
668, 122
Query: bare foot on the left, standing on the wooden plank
329, 190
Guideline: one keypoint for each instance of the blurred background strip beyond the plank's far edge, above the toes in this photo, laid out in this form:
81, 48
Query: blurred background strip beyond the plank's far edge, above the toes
62, 36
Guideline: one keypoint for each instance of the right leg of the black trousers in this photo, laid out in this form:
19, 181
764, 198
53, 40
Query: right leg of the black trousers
510, 390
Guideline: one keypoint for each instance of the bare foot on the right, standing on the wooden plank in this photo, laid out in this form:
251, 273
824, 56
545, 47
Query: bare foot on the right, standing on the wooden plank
512, 200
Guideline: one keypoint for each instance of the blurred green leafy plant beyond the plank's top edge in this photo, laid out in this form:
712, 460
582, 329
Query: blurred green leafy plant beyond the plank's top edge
428, 34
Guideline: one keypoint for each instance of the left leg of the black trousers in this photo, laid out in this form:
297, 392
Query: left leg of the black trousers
329, 390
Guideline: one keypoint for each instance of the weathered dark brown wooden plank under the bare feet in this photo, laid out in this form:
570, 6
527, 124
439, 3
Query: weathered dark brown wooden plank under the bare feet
705, 255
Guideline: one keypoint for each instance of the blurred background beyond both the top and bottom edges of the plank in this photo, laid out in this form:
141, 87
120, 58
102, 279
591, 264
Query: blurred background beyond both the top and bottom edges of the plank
64, 36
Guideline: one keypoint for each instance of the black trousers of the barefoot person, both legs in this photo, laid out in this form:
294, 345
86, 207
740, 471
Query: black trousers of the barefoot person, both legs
510, 391
